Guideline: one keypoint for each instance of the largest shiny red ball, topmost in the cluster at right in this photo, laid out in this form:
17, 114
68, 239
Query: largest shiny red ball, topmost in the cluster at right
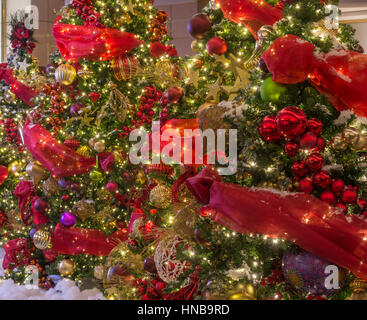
291, 122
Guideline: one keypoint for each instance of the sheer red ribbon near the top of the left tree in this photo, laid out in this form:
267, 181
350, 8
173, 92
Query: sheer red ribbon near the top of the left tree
92, 43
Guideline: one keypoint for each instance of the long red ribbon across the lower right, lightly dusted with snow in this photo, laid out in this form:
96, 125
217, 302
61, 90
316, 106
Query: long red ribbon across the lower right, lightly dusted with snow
307, 221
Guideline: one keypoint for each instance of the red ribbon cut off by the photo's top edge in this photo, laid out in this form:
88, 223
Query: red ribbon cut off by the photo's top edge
252, 13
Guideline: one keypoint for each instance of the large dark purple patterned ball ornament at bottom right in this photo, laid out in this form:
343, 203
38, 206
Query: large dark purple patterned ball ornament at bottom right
306, 272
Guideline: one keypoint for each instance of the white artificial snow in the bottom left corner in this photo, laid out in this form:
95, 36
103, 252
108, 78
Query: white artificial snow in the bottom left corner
64, 290
